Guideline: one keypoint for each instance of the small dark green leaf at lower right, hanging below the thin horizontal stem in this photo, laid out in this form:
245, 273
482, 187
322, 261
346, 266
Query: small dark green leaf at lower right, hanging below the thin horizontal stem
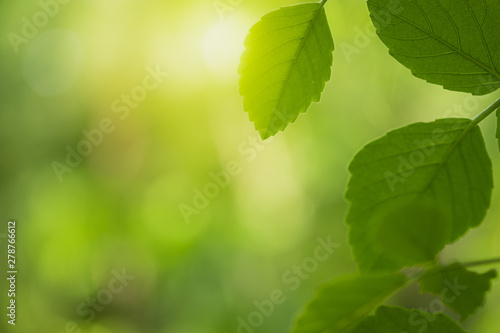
462, 290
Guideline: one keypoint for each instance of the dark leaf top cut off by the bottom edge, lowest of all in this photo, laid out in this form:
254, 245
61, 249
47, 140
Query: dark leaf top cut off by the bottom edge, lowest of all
399, 320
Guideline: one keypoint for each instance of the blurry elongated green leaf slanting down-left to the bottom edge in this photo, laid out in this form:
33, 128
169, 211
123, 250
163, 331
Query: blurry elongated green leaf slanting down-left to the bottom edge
340, 305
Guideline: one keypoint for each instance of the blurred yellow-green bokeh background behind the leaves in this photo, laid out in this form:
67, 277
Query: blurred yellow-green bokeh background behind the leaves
120, 208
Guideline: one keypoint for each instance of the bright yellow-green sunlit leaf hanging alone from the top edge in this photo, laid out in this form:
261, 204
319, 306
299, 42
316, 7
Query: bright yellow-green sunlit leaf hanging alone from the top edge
287, 61
